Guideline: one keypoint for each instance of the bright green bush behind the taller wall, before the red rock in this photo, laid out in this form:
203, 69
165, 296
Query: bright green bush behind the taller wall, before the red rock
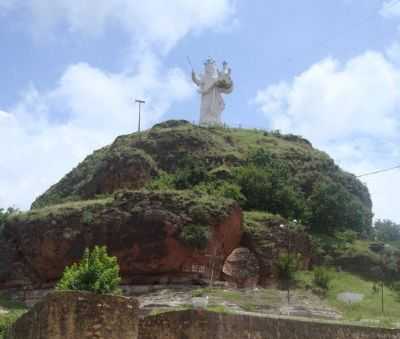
97, 272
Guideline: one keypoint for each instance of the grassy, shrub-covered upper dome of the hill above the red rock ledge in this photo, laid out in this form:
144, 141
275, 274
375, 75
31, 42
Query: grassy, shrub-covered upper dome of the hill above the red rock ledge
269, 172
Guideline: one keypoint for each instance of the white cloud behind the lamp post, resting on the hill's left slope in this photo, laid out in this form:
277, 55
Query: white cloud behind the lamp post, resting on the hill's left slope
93, 108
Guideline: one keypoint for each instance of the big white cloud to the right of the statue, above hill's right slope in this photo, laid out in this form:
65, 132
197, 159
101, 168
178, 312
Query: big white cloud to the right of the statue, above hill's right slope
350, 110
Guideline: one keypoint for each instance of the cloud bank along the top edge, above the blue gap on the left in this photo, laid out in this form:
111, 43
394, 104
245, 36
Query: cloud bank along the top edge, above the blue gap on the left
157, 22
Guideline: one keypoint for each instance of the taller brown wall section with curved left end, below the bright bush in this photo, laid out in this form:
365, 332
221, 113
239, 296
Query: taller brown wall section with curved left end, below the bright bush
77, 315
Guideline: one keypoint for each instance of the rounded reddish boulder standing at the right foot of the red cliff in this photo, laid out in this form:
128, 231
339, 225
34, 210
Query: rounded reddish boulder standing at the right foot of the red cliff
241, 268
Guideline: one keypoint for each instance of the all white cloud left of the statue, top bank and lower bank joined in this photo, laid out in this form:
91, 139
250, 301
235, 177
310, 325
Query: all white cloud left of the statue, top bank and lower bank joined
48, 132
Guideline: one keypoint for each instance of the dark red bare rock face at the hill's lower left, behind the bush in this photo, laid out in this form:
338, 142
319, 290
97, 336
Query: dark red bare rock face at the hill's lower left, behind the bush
142, 230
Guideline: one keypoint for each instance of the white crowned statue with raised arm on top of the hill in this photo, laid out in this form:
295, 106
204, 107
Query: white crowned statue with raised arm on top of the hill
211, 86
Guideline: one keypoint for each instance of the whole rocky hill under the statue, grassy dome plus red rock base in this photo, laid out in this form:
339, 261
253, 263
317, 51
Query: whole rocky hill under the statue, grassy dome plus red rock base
168, 203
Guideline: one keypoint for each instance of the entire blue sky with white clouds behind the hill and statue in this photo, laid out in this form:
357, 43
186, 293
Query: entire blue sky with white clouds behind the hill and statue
327, 70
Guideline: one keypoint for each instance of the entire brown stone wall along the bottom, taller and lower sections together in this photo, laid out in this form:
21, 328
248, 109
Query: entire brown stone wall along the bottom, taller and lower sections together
76, 315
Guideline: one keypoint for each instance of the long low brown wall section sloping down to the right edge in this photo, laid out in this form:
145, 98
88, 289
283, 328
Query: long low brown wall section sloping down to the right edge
206, 325
